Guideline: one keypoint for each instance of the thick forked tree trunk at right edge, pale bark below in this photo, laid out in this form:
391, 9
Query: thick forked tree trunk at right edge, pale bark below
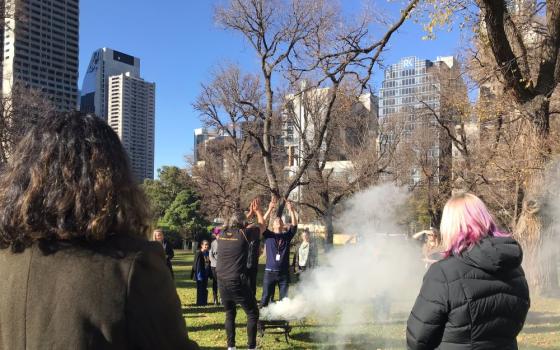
533, 230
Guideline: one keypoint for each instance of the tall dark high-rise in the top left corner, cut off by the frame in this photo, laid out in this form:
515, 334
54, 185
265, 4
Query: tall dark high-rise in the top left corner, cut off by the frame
40, 48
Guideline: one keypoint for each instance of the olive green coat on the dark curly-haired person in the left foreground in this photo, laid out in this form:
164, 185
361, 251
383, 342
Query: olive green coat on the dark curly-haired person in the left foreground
117, 294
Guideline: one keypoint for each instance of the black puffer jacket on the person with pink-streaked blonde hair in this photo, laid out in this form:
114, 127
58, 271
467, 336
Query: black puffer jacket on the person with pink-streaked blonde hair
478, 300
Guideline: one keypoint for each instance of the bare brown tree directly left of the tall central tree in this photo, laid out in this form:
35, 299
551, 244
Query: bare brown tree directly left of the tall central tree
227, 170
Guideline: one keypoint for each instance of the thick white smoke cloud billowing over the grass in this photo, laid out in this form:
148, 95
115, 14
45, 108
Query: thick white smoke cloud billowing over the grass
358, 282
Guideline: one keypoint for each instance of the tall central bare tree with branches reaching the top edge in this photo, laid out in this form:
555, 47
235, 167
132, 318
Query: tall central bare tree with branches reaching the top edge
298, 38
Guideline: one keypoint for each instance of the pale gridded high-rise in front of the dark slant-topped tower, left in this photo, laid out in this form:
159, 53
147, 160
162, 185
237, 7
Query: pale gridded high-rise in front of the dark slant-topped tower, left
131, 105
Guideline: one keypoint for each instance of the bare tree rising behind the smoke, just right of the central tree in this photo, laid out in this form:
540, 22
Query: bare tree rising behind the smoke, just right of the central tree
350, 158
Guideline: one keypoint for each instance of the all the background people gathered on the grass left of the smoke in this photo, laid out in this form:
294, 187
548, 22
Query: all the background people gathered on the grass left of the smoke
231, 262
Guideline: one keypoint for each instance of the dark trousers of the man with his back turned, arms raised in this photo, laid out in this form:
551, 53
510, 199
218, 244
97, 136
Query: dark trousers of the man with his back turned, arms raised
234, 292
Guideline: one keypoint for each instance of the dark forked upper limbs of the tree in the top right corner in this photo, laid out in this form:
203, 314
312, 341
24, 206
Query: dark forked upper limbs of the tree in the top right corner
514, 38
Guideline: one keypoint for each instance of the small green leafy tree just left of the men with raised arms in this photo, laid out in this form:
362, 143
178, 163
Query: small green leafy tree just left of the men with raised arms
185, 215
